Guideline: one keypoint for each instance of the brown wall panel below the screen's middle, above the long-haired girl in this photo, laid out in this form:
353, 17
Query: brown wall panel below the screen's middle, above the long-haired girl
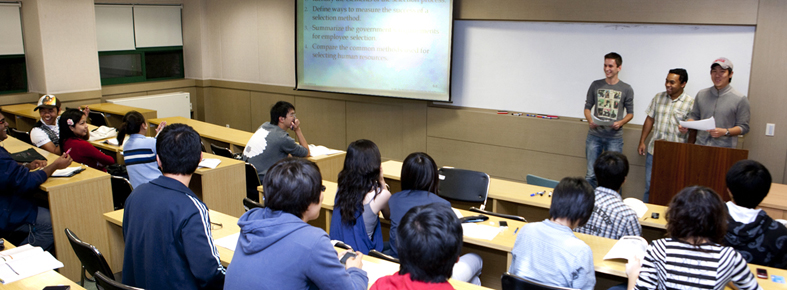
381, 123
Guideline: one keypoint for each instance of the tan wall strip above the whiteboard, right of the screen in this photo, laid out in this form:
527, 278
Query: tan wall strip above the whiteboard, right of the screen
631, 11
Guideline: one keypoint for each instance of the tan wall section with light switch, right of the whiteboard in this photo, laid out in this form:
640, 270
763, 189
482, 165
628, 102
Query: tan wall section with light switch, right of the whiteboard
766, 89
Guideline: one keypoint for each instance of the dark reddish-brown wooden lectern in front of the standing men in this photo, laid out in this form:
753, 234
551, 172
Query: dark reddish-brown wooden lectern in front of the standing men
678, 165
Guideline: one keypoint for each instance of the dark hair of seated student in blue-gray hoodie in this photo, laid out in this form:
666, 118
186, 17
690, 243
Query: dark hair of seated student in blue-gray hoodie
291, 185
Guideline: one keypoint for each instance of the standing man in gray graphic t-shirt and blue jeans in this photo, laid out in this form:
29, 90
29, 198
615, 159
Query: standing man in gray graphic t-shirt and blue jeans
606, 100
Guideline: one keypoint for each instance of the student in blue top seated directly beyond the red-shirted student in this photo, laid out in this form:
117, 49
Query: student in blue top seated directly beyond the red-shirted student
419, 182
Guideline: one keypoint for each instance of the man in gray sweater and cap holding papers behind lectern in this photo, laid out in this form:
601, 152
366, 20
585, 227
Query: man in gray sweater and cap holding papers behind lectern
727, 106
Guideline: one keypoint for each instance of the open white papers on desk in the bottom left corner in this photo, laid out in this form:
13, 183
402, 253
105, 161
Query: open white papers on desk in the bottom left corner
25, 261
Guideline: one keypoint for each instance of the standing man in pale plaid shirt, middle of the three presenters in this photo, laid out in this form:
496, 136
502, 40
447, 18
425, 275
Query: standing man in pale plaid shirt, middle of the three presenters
664, 113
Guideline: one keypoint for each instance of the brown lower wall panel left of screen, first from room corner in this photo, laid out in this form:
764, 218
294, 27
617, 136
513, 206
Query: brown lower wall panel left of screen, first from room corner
231, 107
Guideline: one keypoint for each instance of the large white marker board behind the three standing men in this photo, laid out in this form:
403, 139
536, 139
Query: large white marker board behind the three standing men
546, 68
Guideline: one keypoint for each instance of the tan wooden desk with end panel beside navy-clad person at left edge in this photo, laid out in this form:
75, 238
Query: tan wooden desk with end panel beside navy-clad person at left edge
76, 203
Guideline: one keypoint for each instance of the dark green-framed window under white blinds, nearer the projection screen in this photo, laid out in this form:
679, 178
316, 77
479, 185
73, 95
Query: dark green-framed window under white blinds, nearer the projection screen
141, 65
